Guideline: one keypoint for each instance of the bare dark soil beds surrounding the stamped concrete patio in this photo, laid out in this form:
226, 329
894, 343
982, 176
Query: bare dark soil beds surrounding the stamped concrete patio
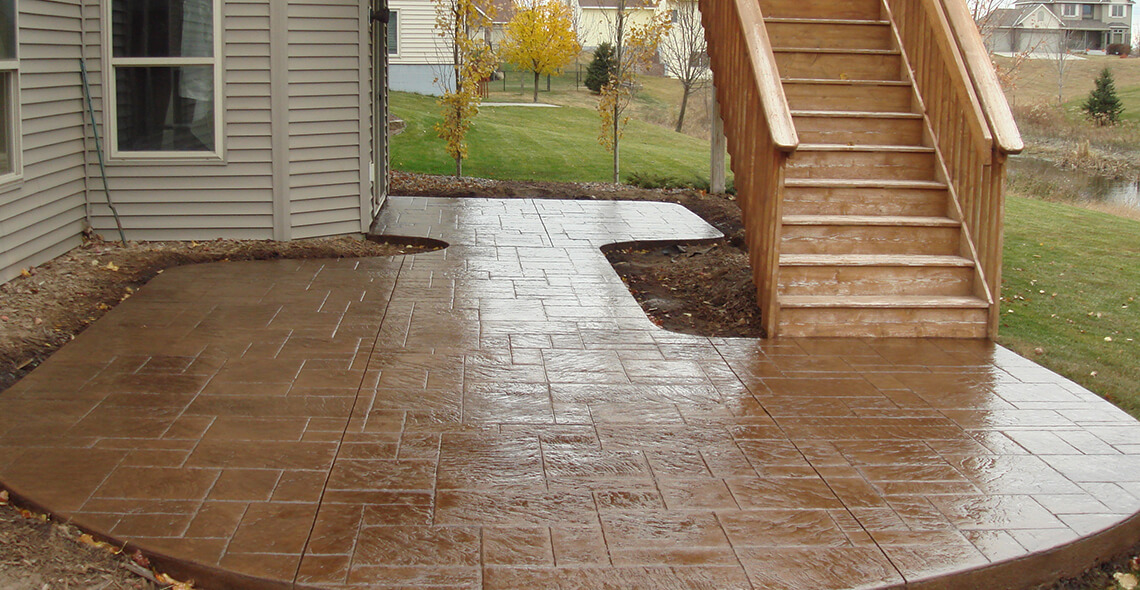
704, 290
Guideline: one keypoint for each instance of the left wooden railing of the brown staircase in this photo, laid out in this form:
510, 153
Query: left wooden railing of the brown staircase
761, 133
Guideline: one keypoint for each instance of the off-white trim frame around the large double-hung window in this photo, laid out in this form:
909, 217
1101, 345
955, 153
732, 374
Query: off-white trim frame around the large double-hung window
111, 104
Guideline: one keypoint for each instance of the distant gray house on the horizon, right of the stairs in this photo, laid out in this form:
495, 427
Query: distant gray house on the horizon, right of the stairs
1048, 26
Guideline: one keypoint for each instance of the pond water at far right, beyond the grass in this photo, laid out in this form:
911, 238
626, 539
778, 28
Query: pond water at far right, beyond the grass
1073, 185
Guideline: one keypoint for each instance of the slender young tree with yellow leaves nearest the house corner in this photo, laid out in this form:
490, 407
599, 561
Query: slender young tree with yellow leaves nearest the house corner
459, 23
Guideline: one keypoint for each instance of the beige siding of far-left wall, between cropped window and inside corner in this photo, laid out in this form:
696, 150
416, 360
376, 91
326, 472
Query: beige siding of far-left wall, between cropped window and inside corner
42, 214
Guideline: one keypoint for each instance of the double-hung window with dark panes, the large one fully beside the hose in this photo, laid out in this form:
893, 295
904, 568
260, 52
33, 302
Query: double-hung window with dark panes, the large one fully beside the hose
165, 73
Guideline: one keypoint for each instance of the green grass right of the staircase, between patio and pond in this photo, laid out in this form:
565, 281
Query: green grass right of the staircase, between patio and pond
1072, 278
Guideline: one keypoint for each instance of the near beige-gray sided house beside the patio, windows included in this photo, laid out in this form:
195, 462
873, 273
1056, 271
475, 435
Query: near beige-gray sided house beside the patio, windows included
218, 119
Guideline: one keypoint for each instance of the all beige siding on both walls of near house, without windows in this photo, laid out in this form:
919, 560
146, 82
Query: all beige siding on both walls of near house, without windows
296, 153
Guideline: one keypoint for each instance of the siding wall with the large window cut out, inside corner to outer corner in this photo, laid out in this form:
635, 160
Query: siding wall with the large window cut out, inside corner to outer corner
295, 133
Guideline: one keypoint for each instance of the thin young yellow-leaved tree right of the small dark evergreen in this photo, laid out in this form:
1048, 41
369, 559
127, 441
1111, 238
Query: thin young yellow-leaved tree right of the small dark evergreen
636, 47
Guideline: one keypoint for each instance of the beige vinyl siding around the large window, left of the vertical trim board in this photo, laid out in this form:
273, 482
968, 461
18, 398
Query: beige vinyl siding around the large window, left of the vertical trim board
227, 199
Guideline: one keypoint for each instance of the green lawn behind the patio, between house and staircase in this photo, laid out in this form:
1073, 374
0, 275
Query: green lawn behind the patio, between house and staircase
541, 144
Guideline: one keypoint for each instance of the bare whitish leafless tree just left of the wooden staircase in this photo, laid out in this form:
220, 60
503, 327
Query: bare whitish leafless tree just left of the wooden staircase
686, 53
